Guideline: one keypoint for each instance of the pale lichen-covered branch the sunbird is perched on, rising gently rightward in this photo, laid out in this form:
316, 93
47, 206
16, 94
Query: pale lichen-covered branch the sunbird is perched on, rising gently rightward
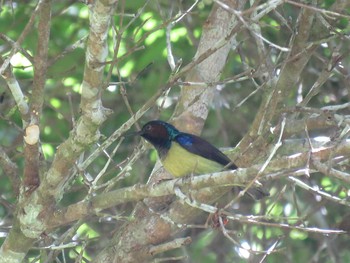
238, 177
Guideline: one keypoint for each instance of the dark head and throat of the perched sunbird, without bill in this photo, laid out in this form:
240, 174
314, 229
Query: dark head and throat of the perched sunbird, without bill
159, 133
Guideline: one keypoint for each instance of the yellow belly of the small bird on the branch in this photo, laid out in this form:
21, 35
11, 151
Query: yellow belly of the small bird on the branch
180, 162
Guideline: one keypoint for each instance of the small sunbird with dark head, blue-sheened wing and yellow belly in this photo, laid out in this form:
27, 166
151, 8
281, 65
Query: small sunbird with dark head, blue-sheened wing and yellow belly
184, 154
